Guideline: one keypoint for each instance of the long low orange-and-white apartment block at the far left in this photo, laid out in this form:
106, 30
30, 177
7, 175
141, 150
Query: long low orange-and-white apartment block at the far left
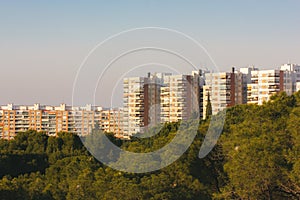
53, 119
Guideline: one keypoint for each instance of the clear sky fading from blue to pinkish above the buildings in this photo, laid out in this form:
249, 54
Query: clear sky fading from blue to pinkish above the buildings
43, 44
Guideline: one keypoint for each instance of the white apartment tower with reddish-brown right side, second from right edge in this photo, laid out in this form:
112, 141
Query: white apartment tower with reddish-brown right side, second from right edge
264, 84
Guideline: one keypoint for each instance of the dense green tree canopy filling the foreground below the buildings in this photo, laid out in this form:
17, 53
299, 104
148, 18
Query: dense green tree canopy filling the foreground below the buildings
257, 157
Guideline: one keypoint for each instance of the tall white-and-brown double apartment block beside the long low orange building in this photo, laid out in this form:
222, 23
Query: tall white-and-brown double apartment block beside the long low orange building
159, 98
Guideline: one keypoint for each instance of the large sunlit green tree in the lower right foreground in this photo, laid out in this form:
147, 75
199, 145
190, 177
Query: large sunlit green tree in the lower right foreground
256, 150
